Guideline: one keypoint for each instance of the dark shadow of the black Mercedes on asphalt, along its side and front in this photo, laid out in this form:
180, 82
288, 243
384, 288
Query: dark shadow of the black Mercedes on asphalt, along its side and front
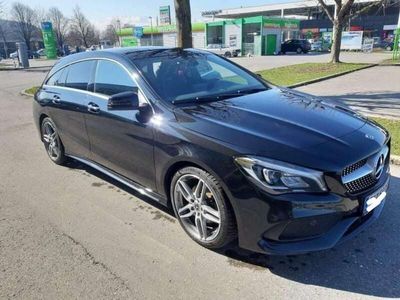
368, 264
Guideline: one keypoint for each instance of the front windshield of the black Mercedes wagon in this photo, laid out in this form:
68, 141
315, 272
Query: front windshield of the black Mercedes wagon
188, 76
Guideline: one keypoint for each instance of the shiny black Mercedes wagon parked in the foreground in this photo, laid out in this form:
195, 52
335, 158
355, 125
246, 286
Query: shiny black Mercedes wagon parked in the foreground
237, 158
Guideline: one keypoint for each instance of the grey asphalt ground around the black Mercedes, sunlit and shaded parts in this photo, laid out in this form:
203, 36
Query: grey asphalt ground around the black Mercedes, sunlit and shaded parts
70, 232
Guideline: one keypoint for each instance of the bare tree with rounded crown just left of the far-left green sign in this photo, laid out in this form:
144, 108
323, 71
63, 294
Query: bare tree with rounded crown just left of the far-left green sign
25, 18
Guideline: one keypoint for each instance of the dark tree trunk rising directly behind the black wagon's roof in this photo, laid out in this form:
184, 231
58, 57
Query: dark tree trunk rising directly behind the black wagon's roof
183, 23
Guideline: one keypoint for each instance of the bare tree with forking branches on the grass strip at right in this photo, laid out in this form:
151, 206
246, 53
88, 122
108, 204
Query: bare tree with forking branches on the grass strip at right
344, 10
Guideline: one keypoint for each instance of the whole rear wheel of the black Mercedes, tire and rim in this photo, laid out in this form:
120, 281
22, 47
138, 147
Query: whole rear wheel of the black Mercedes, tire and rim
52, 142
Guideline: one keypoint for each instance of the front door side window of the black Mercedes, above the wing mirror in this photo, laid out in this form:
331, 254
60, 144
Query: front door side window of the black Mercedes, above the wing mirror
112, 79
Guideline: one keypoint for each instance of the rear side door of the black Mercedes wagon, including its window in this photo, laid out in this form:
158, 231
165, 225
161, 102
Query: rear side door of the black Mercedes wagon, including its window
67, 92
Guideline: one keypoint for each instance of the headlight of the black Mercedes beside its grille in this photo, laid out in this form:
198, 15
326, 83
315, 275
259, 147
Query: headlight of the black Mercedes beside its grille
278, 177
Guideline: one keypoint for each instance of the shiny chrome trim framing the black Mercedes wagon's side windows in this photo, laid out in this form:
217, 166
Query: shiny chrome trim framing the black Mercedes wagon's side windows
98, 94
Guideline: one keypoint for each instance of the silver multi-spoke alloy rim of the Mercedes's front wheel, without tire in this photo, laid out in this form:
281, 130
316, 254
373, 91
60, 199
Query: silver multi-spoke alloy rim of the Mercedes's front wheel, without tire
197, 208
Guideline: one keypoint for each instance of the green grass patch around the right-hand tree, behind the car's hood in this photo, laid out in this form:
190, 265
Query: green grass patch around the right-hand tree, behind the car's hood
290, 75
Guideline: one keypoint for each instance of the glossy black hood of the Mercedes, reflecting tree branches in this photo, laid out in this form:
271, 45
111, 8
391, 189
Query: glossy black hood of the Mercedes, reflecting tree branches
286, 125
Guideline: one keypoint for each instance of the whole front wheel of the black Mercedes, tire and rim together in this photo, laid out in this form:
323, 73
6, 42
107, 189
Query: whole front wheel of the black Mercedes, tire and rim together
212, 235
